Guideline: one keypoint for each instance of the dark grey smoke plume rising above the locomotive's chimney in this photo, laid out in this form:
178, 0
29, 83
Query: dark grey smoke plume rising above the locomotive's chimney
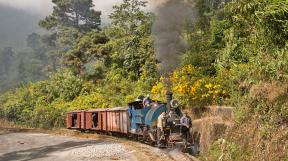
171, 16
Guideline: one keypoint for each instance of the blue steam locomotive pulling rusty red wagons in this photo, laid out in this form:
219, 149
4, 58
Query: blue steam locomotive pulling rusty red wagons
145, 120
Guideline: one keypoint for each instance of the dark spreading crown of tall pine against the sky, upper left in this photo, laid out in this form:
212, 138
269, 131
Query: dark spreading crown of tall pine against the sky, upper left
78, 14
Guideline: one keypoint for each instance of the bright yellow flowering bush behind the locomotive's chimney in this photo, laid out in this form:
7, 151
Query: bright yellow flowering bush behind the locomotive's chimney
190, 87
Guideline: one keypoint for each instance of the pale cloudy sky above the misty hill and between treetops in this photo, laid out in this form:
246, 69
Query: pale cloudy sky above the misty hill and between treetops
44, 7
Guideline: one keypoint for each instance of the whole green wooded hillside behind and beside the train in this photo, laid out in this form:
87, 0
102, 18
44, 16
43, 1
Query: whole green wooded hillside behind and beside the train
235, 54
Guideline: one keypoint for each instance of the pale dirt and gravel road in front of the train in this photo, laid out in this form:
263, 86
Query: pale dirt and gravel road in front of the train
46, 147
